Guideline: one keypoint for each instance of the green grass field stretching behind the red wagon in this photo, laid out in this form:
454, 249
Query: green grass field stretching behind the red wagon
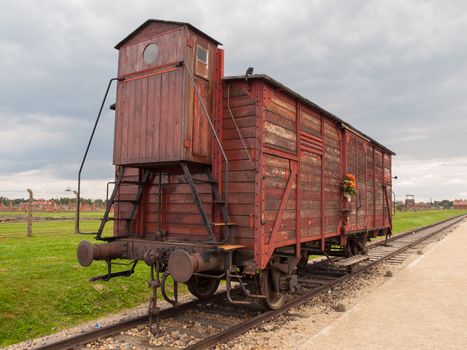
44, 289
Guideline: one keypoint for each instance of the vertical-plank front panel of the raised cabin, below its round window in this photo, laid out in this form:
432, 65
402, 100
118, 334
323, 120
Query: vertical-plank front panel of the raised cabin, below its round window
148, 125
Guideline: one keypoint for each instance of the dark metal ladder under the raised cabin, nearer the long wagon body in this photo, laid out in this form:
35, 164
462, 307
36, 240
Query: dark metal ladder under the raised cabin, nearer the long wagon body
218, 202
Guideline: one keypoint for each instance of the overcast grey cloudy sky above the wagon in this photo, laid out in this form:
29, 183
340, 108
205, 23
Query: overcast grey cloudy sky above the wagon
397, 70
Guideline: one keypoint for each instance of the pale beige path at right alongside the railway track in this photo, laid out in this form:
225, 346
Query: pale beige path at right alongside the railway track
424, 306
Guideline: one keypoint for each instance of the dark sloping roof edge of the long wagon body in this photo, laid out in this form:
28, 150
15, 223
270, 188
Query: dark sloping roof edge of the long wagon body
306, 101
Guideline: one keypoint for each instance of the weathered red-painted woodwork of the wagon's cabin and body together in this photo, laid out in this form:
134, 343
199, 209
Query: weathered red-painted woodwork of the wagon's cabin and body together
300, 153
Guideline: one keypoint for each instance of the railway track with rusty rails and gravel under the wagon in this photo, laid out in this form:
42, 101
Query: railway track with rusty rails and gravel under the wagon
203, 324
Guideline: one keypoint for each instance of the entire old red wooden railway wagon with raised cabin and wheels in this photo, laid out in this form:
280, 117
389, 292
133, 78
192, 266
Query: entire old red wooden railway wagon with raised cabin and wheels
230, 178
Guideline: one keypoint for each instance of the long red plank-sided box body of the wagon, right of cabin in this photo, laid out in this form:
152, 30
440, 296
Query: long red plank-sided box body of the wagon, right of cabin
301, 154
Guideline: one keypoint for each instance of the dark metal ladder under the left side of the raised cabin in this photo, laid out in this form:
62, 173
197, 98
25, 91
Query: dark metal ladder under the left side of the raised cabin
119, 181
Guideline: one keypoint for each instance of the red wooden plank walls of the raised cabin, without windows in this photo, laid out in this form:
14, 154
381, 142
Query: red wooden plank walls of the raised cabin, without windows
159, 117
